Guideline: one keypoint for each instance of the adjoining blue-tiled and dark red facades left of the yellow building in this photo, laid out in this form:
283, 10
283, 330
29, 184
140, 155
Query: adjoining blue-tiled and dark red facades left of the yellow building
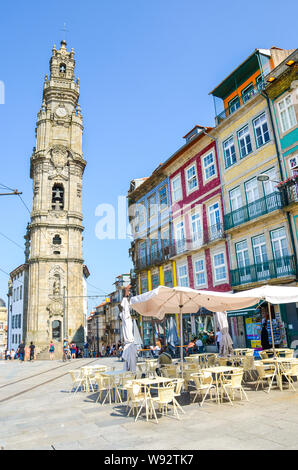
181, 241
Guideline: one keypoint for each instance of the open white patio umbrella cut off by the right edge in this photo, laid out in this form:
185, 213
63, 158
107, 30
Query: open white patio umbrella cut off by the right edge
272, 295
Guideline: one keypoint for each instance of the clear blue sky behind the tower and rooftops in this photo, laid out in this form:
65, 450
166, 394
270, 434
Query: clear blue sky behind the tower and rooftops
146, 68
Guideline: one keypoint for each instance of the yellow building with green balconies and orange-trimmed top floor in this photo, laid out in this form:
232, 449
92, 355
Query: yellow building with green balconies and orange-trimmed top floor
261, 245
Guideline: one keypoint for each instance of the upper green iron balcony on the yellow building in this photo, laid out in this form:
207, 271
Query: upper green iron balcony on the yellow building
255, 209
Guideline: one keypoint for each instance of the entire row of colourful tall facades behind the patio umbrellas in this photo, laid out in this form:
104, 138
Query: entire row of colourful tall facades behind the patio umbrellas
215, 215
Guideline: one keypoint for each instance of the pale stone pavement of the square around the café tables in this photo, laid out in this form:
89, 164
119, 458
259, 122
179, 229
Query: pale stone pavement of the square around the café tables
51, 417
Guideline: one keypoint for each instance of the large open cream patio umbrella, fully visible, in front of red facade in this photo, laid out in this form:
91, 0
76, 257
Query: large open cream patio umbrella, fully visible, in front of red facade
162, 300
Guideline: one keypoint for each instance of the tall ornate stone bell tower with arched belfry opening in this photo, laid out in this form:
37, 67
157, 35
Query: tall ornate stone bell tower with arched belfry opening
55, 292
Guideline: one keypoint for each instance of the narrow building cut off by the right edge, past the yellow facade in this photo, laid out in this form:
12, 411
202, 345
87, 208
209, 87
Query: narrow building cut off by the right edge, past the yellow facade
282, 93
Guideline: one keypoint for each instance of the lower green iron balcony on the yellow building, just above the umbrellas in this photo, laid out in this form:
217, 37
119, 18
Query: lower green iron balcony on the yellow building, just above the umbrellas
271, 269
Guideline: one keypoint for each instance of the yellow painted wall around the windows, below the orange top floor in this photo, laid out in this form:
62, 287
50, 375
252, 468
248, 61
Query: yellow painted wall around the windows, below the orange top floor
236, 177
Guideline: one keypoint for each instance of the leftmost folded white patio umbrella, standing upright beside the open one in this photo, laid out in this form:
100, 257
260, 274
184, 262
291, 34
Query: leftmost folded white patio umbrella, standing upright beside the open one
130, 347
